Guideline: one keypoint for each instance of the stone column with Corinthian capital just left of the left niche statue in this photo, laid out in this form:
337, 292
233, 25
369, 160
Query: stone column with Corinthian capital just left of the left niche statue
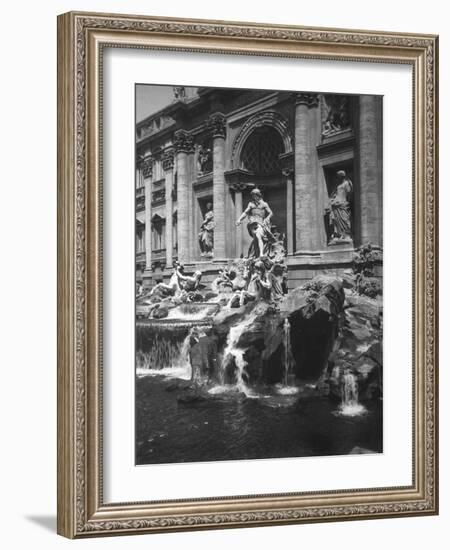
183, 143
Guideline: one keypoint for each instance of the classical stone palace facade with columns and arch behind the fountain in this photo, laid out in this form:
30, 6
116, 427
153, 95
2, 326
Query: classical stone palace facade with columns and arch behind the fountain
216, 146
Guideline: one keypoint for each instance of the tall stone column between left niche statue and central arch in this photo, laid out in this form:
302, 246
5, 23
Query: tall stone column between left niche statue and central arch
217, 125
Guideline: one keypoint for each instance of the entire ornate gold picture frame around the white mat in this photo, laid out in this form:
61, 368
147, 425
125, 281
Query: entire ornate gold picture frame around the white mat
81, 37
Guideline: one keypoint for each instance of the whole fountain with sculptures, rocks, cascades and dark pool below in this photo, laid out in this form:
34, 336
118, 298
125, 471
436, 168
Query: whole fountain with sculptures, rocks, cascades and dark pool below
254, 359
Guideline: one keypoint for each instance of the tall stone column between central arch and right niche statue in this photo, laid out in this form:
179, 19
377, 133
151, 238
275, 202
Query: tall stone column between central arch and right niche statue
305, 184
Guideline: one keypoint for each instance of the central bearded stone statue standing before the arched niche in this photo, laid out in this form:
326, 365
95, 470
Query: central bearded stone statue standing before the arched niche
258, 214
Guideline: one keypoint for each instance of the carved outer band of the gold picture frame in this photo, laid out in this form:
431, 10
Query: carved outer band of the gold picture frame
425, 46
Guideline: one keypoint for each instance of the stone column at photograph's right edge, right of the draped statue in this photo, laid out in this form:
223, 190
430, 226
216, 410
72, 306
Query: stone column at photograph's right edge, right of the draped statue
370, 216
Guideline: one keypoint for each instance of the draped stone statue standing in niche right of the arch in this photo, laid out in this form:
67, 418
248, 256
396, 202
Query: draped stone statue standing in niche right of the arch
339, 210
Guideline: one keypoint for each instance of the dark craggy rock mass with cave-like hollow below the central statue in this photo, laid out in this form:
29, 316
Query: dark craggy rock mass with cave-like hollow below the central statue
318, 305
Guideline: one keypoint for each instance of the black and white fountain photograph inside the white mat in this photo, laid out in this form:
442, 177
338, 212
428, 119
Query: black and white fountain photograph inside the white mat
259, 278
